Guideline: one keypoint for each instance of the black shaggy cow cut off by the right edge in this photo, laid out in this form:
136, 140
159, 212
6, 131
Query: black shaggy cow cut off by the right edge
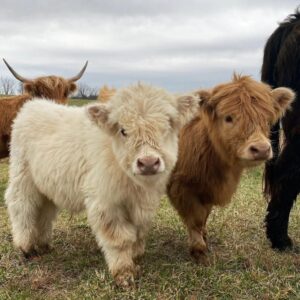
281, 67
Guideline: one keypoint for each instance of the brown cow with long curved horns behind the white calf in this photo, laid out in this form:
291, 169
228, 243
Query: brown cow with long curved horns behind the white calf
50, 87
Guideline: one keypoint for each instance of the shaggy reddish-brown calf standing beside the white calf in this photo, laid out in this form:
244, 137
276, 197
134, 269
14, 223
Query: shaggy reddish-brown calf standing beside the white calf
230, 133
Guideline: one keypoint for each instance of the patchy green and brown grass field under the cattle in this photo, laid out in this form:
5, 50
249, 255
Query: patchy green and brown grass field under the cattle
242, 265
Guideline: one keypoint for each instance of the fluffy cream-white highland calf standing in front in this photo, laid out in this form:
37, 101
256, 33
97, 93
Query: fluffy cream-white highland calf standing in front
112, 159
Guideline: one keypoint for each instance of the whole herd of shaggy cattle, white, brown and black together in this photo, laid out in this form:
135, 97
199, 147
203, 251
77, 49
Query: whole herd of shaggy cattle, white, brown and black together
117, 157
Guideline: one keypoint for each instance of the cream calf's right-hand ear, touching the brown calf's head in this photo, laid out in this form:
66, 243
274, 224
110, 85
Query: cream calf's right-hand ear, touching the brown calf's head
187, 106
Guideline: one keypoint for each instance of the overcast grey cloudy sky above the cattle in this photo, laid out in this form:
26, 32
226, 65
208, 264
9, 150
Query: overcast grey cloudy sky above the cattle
177, 44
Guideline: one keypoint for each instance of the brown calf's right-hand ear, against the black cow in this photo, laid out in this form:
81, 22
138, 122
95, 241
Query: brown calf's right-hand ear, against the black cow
283, 99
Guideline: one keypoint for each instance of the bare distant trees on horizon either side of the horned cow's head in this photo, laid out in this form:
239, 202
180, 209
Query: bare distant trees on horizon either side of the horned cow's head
8, 86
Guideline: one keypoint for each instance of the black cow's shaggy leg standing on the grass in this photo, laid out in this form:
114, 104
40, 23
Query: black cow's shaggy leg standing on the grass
284, 190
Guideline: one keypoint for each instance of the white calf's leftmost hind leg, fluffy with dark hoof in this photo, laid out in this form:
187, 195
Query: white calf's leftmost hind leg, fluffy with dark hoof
23, 201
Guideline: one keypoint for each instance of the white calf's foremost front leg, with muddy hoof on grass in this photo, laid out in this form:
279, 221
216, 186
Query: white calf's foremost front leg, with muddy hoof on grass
116, 236
